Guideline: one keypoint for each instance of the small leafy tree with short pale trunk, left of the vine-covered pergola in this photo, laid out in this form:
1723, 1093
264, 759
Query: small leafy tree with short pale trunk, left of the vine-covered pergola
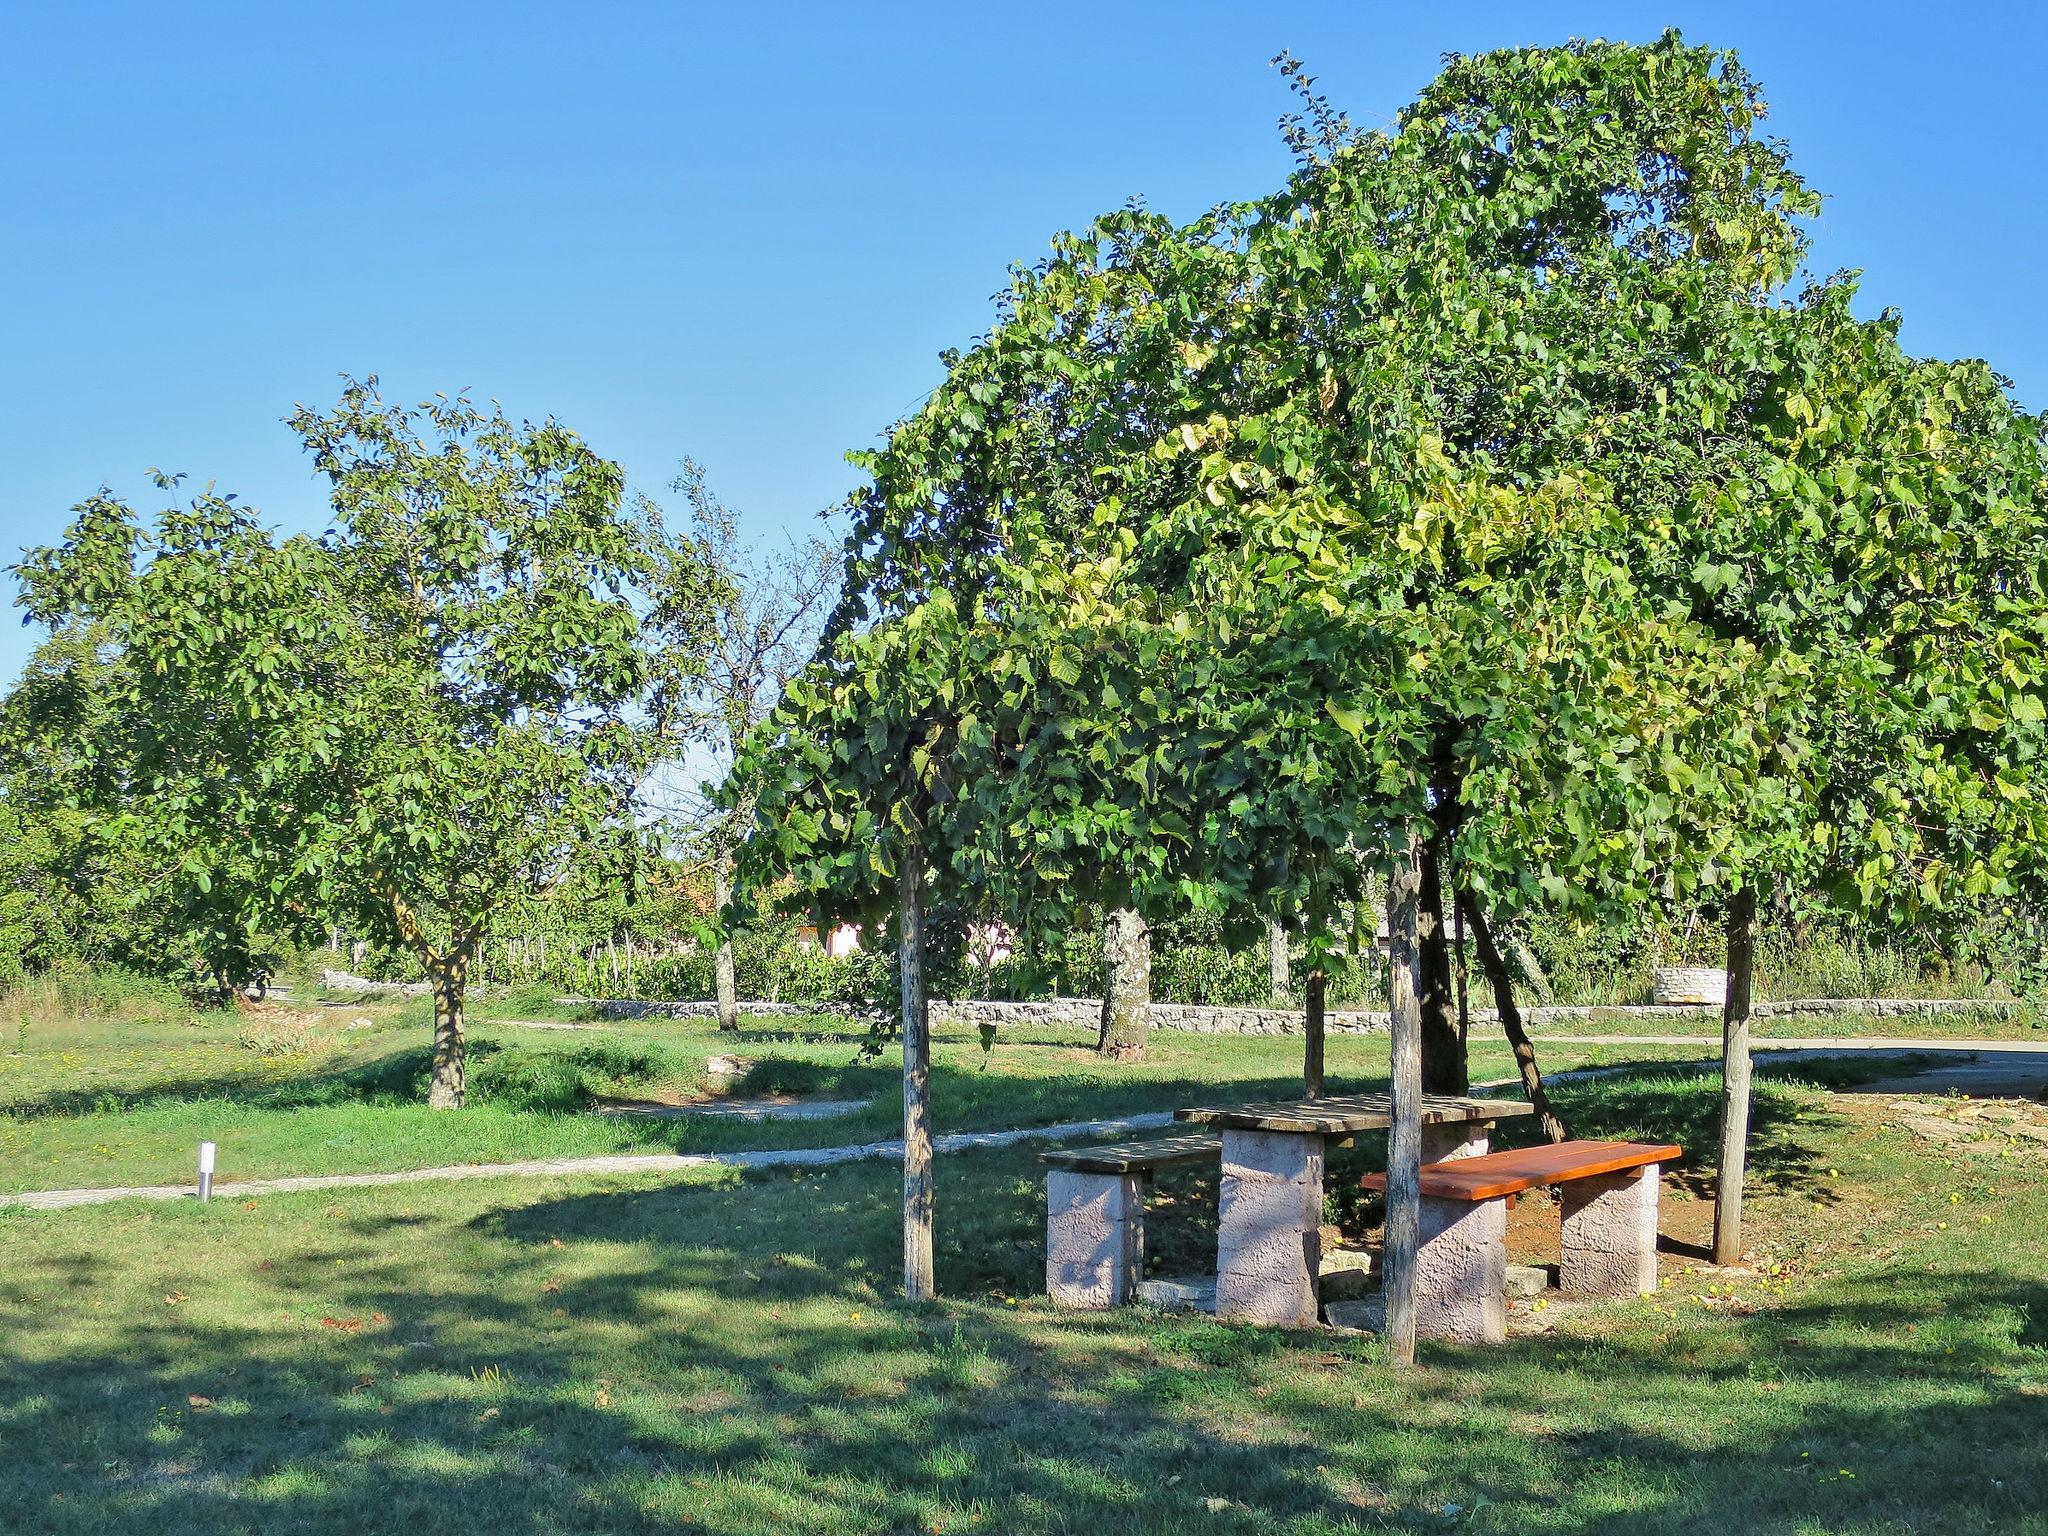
411, 720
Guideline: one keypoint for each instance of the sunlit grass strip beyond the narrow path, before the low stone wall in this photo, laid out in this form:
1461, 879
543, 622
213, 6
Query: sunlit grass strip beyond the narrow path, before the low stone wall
97, 1103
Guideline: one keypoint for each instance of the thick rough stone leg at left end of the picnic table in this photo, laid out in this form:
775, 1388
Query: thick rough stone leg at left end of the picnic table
1269, 1234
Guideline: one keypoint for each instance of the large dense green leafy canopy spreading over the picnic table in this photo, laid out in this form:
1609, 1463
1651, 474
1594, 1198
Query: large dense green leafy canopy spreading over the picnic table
1502, 474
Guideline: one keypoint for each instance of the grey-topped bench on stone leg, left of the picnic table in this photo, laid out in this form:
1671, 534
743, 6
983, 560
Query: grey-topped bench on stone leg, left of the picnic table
1095, 1215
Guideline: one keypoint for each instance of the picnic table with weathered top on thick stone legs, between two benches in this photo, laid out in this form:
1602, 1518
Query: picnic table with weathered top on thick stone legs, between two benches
1269, 1242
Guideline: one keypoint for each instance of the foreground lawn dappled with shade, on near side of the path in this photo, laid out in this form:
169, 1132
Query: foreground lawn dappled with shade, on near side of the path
722, 1353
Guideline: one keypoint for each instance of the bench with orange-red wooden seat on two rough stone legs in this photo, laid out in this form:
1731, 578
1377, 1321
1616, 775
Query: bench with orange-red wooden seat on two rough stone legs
1609, 1240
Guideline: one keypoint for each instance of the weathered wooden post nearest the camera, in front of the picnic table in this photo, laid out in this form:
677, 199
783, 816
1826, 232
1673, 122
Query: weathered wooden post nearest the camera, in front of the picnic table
1404, 1140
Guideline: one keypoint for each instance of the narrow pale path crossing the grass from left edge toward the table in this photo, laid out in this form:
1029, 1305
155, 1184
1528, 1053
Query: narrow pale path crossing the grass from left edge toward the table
622, 1164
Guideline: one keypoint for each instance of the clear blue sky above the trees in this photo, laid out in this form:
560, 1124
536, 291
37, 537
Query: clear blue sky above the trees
744, 232
